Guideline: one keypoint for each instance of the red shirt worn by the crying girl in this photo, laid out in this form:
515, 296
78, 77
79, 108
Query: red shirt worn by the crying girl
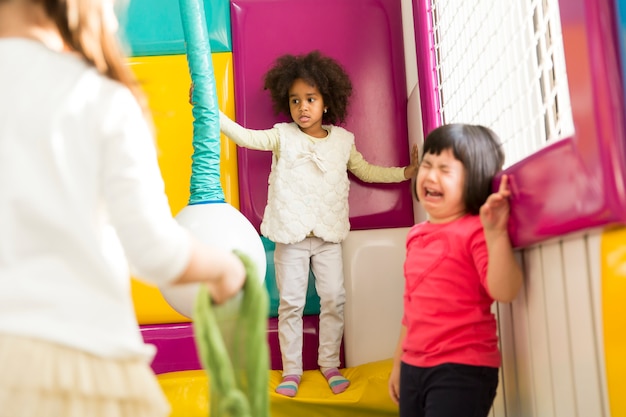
447, 307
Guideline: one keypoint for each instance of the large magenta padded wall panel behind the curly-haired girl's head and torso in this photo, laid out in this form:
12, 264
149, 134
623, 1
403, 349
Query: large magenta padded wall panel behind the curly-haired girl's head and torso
365, 36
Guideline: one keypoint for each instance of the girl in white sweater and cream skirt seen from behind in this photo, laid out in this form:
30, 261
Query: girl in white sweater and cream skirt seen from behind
82, 198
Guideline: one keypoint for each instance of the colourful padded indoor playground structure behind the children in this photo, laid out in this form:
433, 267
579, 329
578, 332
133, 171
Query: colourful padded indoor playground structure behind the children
548, 76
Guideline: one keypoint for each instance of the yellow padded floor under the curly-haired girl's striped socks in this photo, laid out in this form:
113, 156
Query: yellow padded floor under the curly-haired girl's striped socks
367, 396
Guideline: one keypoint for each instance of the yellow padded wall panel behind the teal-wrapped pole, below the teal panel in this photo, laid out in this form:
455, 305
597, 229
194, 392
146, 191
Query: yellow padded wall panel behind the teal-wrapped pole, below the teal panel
166, 81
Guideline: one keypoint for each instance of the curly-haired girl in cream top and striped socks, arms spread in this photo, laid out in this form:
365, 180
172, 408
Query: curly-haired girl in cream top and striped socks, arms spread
307, 206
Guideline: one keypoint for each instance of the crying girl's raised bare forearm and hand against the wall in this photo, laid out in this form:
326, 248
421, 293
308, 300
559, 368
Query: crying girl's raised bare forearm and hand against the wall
504, 275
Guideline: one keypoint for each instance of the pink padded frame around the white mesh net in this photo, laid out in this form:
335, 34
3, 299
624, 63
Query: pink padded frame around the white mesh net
579, 182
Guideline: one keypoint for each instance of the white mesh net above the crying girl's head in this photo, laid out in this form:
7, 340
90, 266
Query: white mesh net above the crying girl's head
501, 64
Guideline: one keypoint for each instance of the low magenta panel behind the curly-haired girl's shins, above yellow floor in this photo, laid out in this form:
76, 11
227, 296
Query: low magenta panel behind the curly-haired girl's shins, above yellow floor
176, 347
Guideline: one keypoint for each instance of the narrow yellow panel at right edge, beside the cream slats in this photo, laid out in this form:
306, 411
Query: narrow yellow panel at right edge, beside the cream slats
613, 312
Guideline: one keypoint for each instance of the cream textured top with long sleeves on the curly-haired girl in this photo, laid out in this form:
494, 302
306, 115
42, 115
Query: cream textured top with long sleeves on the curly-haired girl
308, 183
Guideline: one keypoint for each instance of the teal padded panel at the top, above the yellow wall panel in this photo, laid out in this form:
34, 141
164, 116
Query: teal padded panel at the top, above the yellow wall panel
153, 27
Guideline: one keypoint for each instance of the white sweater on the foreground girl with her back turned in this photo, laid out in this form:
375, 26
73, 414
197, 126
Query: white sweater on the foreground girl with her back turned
81, 197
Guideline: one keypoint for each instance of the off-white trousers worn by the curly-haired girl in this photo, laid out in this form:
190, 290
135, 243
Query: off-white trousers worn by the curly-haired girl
292, 264
